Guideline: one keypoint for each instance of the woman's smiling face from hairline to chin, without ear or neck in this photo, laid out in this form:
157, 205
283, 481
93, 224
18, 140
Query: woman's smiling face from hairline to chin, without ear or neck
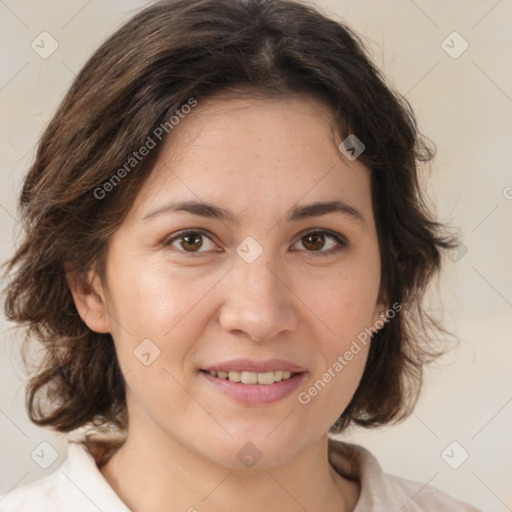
259, 277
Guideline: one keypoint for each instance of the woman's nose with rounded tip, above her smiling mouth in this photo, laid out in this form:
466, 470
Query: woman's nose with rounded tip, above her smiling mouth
258, 302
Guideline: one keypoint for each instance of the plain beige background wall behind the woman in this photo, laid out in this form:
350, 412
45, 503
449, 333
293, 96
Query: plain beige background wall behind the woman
464, 104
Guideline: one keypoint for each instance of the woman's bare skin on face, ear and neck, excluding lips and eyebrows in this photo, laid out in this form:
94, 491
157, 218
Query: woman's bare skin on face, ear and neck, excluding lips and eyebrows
258, 158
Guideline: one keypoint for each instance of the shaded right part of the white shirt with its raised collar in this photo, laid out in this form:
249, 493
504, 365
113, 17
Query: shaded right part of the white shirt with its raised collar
382, 491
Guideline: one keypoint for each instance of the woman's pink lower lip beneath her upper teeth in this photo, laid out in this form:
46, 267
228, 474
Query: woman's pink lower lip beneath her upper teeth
255, 394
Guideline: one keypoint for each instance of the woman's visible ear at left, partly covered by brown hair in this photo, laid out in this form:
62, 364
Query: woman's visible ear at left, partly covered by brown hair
89, 298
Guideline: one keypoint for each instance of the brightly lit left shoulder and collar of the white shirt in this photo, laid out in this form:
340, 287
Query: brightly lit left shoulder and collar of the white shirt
76, 485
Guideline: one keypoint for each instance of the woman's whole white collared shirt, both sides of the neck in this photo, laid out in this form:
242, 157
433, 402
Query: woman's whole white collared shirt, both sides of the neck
78, 486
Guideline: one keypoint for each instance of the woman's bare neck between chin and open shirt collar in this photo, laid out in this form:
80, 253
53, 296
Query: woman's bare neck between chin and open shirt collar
151, 475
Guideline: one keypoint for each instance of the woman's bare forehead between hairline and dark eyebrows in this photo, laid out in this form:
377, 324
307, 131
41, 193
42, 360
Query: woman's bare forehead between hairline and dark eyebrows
251, 152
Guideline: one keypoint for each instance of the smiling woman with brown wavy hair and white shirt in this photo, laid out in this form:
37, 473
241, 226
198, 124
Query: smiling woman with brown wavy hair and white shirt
225, 255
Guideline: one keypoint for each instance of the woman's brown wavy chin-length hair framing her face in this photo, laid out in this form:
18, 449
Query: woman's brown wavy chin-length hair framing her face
165, 55
